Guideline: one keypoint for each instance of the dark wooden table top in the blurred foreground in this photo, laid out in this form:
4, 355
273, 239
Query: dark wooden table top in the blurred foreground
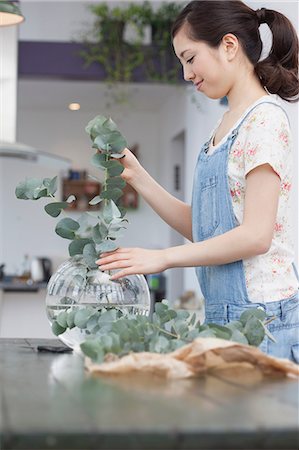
49, 402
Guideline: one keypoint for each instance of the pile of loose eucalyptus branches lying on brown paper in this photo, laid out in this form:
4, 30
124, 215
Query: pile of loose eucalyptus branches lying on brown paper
117, 331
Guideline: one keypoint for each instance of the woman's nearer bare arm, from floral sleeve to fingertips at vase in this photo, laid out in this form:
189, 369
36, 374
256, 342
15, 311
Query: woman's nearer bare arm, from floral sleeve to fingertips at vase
251, 238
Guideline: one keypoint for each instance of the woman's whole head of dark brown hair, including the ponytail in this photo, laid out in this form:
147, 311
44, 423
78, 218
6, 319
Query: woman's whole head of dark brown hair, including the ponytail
209, 21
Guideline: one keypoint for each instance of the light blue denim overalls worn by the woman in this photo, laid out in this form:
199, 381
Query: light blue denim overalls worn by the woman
223, 286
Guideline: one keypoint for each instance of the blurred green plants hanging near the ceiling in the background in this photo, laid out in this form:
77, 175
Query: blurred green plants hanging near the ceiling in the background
106, 44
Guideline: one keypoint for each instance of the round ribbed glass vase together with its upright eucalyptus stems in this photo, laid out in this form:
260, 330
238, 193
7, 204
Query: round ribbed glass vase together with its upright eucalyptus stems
78, 289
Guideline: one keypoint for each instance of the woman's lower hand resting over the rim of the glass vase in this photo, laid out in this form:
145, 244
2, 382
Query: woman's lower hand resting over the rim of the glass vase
133, 261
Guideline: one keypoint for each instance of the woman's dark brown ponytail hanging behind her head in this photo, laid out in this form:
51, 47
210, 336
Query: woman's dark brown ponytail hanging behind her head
278, 72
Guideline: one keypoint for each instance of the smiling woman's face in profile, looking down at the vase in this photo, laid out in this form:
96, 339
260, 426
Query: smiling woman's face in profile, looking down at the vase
203, 65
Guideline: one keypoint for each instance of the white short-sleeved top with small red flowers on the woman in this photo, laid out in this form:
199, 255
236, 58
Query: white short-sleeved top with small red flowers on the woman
265, 137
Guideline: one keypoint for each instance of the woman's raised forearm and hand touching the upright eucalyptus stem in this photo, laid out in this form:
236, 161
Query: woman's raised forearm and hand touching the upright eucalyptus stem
174, 212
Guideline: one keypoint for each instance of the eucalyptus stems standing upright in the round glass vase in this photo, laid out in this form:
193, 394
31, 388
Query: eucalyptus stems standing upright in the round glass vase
94, 232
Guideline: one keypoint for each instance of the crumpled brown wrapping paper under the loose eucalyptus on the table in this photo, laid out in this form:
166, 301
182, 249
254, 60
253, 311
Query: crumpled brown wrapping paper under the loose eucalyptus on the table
201, 357
